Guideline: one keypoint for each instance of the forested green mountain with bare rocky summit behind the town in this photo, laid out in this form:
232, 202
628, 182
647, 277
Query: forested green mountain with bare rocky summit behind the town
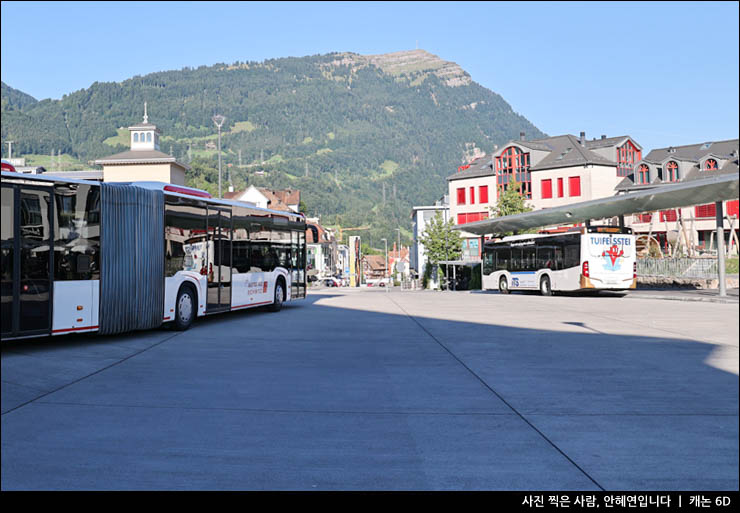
363, 137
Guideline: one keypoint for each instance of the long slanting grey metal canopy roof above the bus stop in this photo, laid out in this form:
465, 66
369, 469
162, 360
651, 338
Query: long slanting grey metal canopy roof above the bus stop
684, 194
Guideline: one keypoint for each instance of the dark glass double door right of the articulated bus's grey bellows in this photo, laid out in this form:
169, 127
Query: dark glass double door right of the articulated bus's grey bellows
219, 259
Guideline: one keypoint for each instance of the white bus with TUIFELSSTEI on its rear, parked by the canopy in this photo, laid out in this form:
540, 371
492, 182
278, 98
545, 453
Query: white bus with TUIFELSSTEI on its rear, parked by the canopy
591, 258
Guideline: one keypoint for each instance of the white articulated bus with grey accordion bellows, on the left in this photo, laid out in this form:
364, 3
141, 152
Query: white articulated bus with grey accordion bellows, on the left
83, 256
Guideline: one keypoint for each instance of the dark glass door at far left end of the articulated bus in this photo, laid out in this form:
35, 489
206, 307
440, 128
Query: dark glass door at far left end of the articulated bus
26, 242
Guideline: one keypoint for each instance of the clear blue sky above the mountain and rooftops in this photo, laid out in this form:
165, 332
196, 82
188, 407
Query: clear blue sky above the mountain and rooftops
665, 72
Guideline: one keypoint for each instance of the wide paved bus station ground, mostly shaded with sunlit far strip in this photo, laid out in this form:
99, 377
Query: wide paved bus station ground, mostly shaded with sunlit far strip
375, 390
